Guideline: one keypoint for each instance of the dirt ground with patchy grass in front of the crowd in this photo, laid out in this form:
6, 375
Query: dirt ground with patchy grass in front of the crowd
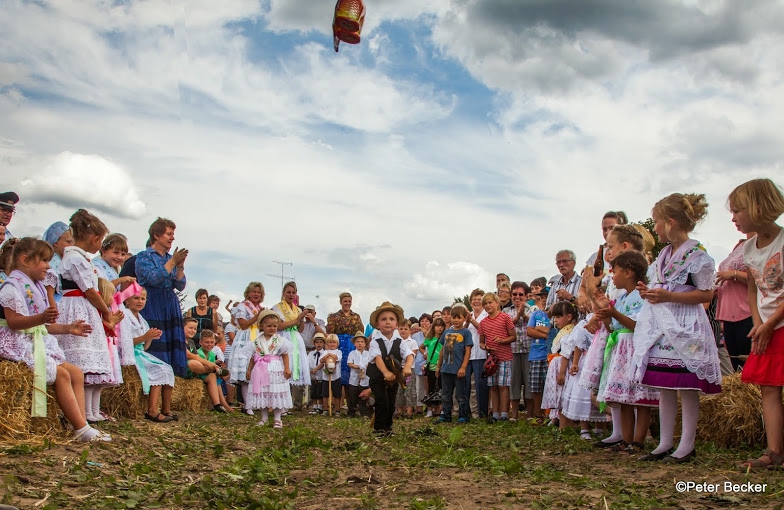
213, 461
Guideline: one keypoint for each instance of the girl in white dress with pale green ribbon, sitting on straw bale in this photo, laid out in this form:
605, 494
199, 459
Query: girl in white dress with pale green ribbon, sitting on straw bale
26, 331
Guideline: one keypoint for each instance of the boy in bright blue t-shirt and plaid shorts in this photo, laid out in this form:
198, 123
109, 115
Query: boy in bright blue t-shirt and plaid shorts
538, 330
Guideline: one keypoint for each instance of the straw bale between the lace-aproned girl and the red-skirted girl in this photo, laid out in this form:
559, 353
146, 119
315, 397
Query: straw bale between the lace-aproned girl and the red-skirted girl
732, 418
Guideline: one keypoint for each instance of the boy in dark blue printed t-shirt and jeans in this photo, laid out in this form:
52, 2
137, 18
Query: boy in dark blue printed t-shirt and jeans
452, 362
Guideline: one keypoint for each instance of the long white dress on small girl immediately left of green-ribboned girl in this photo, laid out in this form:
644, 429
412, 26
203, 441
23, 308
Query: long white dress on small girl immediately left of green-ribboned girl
576, 404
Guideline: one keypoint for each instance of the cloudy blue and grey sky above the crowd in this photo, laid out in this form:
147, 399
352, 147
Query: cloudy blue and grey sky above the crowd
460, 138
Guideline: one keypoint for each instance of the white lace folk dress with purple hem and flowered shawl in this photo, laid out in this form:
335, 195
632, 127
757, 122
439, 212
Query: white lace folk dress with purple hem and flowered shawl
674, 347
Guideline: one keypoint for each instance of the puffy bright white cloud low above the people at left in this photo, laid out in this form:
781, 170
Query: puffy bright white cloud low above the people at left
89, 181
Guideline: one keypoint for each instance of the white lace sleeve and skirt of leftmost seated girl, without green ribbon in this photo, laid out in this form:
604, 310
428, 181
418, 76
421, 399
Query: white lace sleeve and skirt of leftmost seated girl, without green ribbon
17, 346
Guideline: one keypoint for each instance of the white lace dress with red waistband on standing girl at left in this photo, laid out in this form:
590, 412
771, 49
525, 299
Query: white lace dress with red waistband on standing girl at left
92, 353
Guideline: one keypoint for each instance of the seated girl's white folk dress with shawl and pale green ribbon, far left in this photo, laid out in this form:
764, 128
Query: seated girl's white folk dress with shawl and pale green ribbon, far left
27, 298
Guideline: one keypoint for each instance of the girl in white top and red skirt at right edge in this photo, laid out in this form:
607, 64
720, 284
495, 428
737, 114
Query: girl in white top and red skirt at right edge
755, 206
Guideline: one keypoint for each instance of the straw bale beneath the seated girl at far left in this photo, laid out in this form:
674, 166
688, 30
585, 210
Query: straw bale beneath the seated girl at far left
16, 381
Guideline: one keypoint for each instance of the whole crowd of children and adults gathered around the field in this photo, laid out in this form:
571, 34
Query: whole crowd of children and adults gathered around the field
596, 347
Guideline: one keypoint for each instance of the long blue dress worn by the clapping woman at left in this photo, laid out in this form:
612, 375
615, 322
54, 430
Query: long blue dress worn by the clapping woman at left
163, 308
